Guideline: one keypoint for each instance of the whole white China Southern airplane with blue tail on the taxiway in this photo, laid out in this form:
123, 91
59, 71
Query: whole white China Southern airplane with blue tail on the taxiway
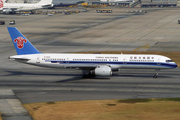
91, 64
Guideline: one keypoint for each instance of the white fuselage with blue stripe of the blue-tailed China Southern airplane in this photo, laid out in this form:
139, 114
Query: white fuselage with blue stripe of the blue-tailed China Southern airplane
81, 61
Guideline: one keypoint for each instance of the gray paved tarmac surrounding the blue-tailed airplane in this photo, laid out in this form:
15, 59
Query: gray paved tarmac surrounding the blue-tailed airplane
156, 30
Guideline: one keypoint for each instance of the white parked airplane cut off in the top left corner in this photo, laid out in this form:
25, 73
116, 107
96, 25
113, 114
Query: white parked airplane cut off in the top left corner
19, 7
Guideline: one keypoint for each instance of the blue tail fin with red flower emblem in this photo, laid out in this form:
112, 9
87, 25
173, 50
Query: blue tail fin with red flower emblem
22, 45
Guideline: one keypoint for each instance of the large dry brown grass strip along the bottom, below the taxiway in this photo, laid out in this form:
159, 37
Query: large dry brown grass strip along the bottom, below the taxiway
148, 109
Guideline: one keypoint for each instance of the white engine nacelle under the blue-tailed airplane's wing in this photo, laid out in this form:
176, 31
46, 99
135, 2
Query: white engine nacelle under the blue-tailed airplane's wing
103, 70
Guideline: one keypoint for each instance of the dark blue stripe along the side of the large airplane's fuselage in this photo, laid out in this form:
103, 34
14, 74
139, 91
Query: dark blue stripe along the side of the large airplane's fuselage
168, 65
